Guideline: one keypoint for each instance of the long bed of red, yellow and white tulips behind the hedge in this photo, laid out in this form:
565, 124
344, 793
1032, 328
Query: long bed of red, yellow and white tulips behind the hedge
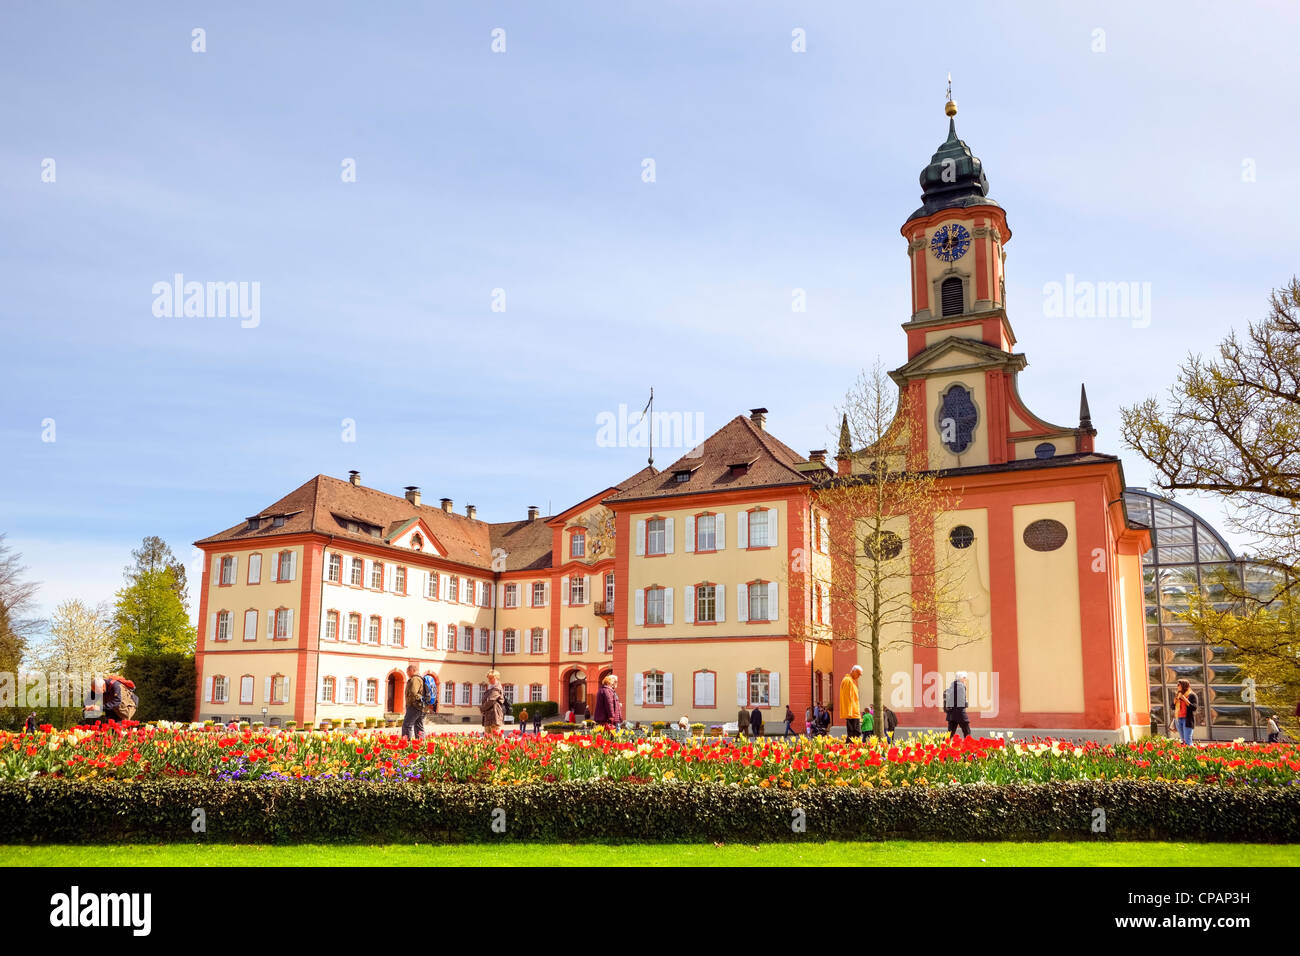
145, 754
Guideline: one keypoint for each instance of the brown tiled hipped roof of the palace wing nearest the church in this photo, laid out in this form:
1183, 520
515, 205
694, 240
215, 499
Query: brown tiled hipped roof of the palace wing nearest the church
772, 464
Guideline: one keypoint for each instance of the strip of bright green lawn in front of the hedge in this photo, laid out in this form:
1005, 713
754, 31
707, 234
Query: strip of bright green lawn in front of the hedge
895, 854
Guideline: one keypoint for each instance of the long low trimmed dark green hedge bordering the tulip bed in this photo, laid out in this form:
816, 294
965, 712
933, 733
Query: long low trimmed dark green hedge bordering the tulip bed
53, 811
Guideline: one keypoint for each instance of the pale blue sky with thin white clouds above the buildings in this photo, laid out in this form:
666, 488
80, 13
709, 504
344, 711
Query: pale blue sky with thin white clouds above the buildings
461, 265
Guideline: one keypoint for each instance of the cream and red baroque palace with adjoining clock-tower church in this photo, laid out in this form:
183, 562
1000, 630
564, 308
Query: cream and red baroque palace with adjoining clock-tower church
707, 586
